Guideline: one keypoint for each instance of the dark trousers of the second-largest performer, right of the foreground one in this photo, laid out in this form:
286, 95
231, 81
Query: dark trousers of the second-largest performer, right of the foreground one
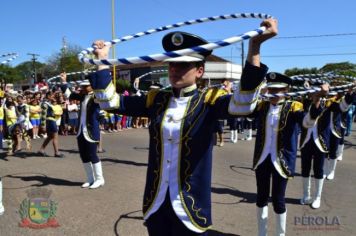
279, 185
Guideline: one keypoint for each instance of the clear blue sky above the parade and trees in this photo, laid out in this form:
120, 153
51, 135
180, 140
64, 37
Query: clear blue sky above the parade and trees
37, 26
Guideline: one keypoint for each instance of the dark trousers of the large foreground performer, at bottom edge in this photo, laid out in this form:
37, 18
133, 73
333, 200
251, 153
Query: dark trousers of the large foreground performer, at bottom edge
165, 222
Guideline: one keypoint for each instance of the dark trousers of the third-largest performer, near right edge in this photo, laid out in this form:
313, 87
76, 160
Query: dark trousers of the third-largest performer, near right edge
311, 152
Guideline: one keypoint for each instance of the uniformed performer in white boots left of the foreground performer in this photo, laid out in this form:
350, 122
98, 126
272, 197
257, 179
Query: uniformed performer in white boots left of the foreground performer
88, 132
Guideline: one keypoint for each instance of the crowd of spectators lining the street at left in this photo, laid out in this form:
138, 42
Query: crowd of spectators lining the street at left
23, 116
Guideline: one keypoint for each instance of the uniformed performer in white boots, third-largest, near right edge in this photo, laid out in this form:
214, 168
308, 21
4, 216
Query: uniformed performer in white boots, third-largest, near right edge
315, 144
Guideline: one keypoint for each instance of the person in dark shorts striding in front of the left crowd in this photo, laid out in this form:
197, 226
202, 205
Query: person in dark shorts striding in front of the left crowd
52, 112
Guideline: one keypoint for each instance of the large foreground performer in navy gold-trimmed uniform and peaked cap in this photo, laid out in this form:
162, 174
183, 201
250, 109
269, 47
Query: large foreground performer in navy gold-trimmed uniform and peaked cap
177, 198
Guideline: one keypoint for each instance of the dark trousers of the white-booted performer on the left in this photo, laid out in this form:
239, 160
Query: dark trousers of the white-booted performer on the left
87, 150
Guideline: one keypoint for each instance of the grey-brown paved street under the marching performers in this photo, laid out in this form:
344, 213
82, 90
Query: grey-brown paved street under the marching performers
115, 209
